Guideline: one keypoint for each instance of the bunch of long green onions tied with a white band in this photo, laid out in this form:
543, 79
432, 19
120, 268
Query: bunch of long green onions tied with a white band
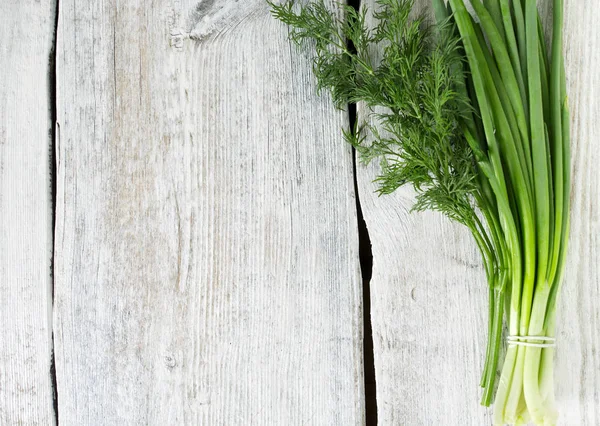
522, 104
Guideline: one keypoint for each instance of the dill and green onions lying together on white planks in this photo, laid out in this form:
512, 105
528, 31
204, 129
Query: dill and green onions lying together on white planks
471, 111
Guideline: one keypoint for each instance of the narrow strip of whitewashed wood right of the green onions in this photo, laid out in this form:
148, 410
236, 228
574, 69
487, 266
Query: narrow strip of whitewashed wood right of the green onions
578, 324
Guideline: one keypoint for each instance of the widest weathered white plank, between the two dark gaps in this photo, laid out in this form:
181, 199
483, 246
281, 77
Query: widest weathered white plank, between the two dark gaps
206, 260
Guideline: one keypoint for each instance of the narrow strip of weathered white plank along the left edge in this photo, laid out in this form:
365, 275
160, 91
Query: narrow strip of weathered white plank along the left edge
26, 36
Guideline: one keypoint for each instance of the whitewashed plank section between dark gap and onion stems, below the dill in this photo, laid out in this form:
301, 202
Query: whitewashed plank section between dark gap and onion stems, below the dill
428, 313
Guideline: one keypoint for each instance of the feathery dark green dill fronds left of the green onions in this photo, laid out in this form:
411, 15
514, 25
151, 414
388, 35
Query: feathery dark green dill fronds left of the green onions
413, 88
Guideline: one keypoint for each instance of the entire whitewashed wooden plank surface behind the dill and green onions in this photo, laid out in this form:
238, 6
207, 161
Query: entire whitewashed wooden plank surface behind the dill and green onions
179, 234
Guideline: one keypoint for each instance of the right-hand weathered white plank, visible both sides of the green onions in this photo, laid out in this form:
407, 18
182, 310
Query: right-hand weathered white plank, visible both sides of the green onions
428, 291
